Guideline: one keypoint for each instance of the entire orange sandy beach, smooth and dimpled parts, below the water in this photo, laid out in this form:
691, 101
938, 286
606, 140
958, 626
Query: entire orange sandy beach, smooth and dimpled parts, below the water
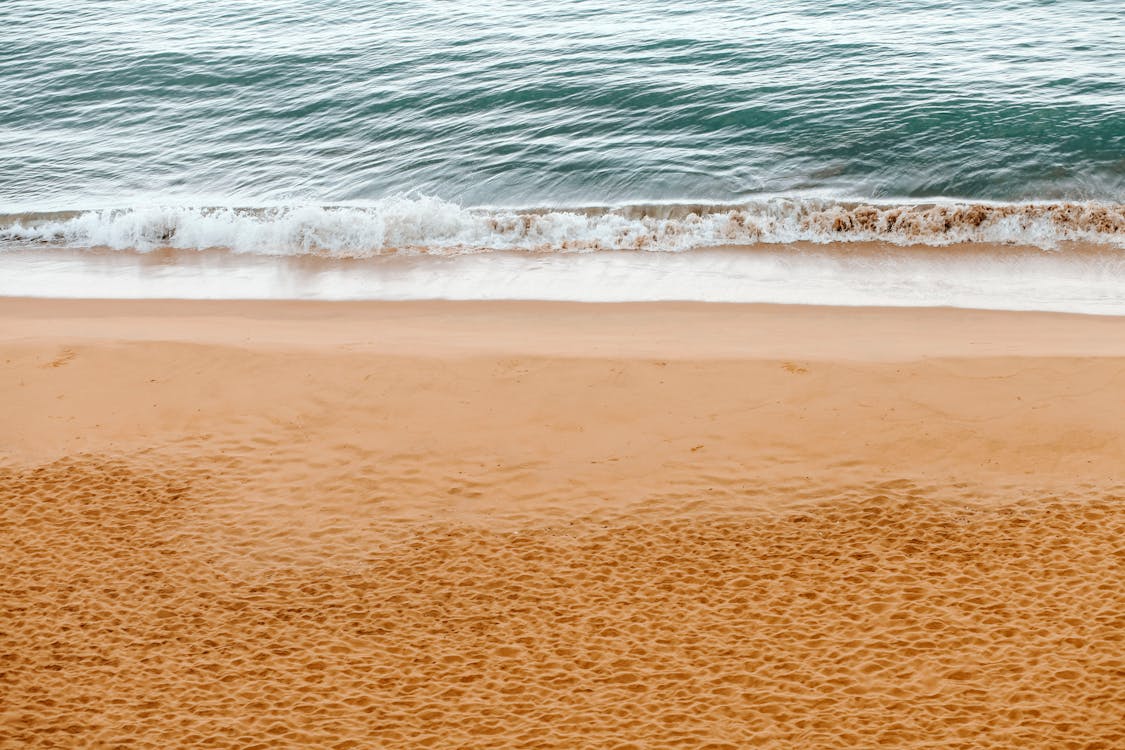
268, 525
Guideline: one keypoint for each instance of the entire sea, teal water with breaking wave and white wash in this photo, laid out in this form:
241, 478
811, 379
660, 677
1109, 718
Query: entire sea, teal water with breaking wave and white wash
592, 150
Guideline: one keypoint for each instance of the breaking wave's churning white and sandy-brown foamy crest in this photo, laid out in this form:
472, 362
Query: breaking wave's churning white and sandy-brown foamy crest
420, 225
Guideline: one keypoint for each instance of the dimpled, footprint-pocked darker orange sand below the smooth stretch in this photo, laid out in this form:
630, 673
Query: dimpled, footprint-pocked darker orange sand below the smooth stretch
884, 618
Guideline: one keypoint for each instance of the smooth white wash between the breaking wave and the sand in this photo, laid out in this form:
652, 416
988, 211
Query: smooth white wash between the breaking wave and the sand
1075, 278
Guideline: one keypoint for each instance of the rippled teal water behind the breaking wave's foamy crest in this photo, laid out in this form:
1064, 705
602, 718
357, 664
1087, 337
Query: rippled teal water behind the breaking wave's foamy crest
587, 103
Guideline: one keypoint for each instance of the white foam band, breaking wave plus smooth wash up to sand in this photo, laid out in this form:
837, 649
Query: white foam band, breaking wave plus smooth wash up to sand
429, 249
